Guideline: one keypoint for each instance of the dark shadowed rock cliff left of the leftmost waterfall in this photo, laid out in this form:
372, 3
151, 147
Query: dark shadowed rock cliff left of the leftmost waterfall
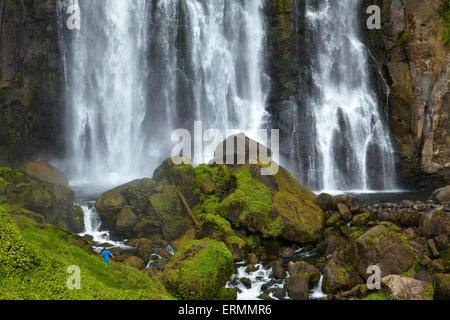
31, 110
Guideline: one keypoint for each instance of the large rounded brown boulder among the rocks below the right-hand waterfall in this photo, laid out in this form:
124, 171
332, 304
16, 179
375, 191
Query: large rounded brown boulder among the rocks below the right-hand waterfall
382, 246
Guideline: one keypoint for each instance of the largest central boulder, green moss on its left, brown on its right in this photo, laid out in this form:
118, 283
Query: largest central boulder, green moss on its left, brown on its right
273, 205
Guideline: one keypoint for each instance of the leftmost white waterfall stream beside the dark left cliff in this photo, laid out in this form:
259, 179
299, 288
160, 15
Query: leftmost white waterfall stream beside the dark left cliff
105, 75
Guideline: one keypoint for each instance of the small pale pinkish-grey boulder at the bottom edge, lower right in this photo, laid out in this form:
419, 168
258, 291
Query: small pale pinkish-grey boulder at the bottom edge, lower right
398, 287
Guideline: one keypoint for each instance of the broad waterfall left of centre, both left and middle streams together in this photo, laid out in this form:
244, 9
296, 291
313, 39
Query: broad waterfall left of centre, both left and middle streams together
139, 69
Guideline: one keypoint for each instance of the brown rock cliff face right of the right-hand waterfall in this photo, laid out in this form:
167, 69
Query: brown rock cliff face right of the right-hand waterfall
415, 62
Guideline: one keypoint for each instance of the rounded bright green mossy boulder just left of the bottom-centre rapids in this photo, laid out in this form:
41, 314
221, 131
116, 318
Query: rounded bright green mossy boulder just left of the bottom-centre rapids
199, 270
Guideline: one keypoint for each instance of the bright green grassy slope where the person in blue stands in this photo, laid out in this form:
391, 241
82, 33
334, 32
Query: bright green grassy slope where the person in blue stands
34, 264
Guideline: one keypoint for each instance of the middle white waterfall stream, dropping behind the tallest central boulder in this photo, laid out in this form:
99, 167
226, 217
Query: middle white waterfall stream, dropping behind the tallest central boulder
226, 49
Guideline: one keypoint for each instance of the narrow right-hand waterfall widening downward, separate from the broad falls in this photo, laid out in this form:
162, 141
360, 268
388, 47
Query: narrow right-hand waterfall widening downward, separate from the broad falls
353, 145
